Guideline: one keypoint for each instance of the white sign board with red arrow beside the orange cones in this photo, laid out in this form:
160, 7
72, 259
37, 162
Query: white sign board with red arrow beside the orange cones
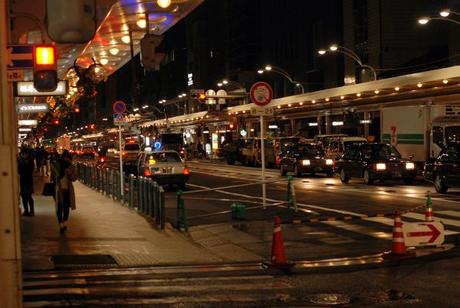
423, 234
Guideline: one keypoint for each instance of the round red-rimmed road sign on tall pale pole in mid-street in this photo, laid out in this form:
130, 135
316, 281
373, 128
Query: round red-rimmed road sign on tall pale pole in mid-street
261, 94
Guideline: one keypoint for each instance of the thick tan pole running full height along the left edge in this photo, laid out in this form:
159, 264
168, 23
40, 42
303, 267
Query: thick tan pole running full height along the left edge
10, 243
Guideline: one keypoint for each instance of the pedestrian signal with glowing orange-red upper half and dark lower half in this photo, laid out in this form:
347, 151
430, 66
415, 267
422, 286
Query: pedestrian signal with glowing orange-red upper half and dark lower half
45, 65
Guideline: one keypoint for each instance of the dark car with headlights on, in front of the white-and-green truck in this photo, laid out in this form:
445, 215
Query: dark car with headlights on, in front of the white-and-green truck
374, 161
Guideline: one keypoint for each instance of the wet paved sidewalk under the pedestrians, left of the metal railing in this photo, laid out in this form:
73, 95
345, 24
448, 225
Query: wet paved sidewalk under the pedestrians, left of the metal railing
101, 226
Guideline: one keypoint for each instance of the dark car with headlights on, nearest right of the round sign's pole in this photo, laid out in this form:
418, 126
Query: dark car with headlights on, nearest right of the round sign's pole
305, 158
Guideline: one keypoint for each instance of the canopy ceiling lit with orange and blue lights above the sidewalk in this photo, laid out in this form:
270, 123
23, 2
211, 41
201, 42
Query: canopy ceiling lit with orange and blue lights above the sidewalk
126, 18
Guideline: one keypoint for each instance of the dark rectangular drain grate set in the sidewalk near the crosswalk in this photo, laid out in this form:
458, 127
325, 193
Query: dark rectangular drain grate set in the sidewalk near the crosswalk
83, 260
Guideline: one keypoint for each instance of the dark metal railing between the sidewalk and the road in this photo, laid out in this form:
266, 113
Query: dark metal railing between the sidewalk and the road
139, 193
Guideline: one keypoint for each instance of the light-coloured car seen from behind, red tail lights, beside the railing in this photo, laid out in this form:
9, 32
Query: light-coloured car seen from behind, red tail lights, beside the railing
165, 167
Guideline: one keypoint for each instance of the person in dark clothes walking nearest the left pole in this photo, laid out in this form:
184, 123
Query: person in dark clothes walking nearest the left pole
26, 180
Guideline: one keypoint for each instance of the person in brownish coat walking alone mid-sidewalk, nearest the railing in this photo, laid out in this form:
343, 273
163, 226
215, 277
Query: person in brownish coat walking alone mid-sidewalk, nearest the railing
65, 195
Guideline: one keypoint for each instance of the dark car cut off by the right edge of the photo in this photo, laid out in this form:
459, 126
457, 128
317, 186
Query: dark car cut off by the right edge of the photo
444, 170
